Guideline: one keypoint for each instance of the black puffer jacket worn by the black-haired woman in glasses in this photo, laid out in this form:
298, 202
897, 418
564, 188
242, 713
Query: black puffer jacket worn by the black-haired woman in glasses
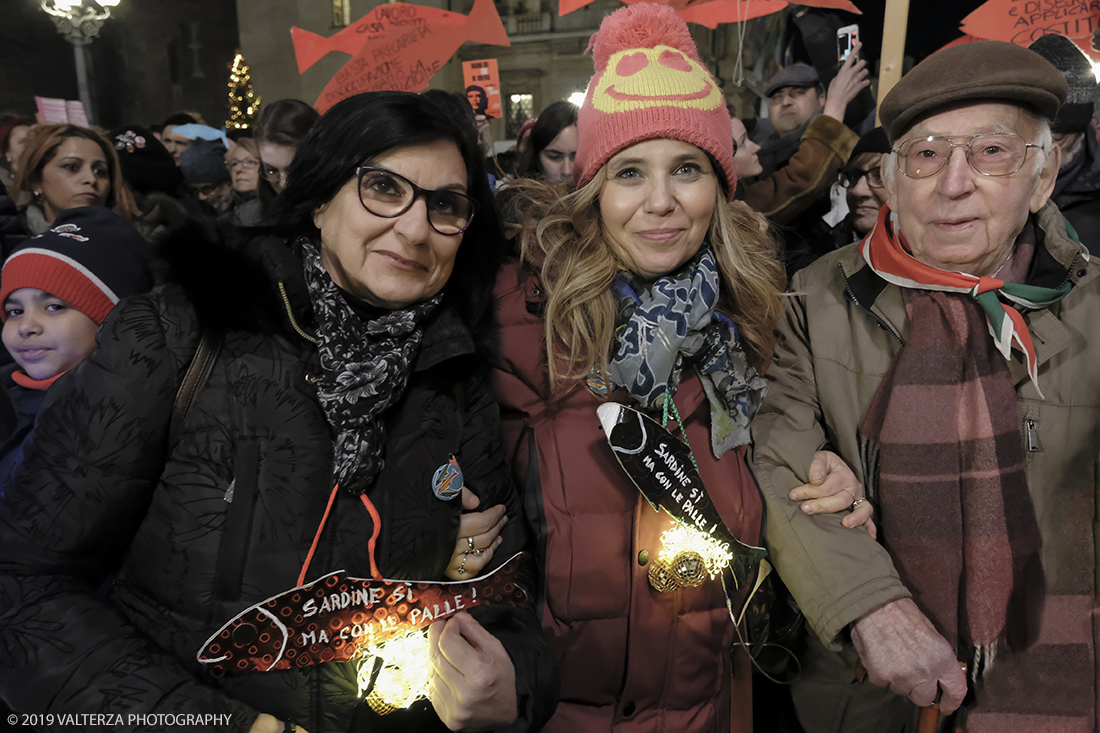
102, 495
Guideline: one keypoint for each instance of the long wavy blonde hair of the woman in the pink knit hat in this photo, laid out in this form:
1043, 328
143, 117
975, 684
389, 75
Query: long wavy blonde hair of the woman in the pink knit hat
563, 239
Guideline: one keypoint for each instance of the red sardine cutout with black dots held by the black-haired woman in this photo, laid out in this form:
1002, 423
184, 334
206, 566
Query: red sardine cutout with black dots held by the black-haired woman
336, 617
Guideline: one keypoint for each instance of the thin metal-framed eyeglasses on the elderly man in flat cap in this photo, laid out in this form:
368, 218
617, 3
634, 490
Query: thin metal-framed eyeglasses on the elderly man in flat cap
995, 155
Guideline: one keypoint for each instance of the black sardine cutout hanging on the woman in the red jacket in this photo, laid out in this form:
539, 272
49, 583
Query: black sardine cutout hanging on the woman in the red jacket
662, 468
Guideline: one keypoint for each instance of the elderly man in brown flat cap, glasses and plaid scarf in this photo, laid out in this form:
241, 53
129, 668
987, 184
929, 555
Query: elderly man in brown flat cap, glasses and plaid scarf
953, 359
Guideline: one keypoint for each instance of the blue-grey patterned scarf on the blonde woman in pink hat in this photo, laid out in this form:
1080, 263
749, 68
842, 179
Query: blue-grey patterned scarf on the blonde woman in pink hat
657, 329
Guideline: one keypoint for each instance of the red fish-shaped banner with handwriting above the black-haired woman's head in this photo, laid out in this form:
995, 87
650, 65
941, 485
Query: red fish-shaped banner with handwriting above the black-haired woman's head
397, 47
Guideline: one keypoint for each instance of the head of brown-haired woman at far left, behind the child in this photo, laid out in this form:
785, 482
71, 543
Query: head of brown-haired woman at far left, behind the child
64, 167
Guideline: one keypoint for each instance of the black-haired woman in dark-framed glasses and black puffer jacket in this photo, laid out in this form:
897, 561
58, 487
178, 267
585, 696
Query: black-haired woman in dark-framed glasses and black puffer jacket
349, 370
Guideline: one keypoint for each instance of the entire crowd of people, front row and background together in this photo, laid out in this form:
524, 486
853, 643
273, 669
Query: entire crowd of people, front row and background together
240, 364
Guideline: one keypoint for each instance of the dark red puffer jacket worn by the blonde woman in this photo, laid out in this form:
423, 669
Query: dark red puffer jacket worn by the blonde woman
632, 659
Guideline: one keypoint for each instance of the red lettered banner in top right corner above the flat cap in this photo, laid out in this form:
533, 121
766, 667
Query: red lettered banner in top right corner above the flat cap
1025, 21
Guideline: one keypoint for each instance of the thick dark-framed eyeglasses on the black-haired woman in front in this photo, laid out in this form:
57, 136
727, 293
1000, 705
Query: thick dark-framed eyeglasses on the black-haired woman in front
386, 194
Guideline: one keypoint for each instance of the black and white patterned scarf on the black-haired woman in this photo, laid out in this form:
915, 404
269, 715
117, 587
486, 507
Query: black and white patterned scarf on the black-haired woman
366, 365
